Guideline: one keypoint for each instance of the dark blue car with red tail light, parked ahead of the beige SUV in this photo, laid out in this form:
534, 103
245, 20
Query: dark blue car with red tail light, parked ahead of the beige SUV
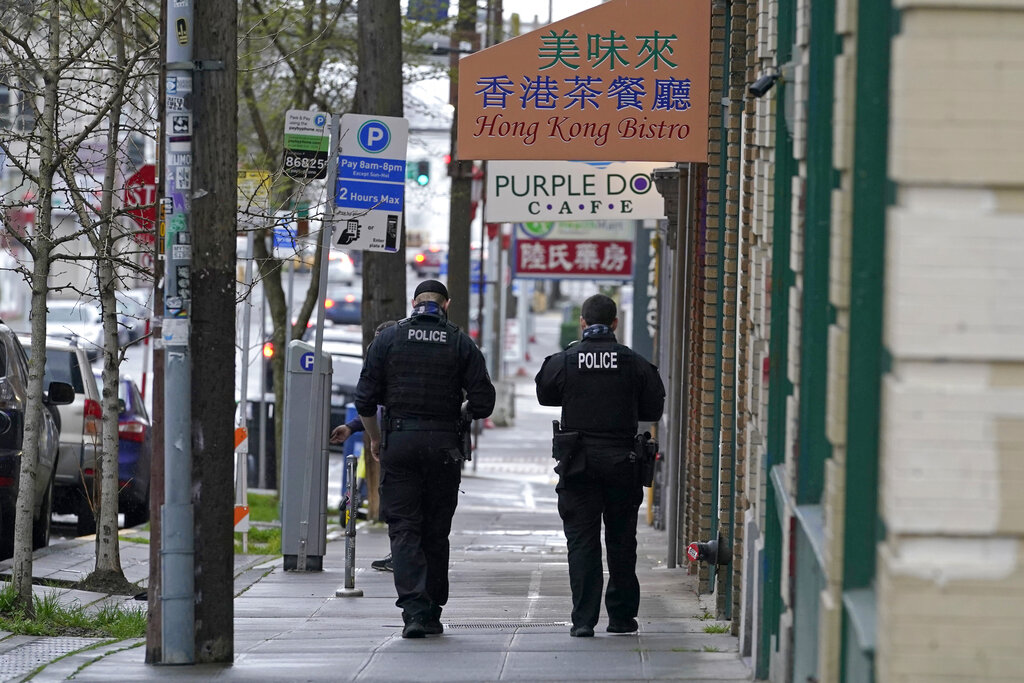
135, 452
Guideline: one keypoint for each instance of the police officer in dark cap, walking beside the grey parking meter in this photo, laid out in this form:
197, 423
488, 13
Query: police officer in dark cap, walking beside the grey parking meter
421, 371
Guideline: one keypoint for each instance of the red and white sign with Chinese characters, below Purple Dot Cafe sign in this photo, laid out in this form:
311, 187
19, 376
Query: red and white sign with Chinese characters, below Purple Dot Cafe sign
598, 250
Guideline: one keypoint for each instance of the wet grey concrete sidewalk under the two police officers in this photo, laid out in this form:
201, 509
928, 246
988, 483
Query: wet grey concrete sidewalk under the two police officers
507, 619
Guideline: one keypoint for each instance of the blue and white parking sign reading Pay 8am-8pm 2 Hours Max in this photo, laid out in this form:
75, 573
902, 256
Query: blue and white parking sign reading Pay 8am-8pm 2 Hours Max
370, 195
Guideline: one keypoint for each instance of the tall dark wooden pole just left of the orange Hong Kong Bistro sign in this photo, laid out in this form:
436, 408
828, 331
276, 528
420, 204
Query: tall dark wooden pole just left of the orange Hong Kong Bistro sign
462, 178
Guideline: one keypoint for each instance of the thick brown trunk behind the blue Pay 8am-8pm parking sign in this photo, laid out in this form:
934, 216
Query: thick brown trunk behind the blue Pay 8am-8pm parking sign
378, 91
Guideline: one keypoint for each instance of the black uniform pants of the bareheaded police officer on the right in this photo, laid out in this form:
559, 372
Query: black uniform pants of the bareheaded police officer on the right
608, 490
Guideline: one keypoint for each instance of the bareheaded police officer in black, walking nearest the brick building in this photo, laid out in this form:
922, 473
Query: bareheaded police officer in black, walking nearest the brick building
605, 390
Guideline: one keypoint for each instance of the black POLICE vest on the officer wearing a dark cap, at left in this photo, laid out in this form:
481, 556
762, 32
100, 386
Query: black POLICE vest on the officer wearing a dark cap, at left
424, 371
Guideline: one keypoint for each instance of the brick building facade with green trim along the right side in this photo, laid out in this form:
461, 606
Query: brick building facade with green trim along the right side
848, 281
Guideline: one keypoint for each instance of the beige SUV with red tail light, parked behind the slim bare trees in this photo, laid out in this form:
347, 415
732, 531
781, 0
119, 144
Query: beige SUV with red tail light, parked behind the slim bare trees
80, 431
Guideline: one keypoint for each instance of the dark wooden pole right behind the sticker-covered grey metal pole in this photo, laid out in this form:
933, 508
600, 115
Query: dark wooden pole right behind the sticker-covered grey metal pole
214, 193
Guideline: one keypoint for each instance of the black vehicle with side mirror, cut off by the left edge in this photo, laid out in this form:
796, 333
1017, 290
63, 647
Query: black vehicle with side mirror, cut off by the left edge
14, 405
